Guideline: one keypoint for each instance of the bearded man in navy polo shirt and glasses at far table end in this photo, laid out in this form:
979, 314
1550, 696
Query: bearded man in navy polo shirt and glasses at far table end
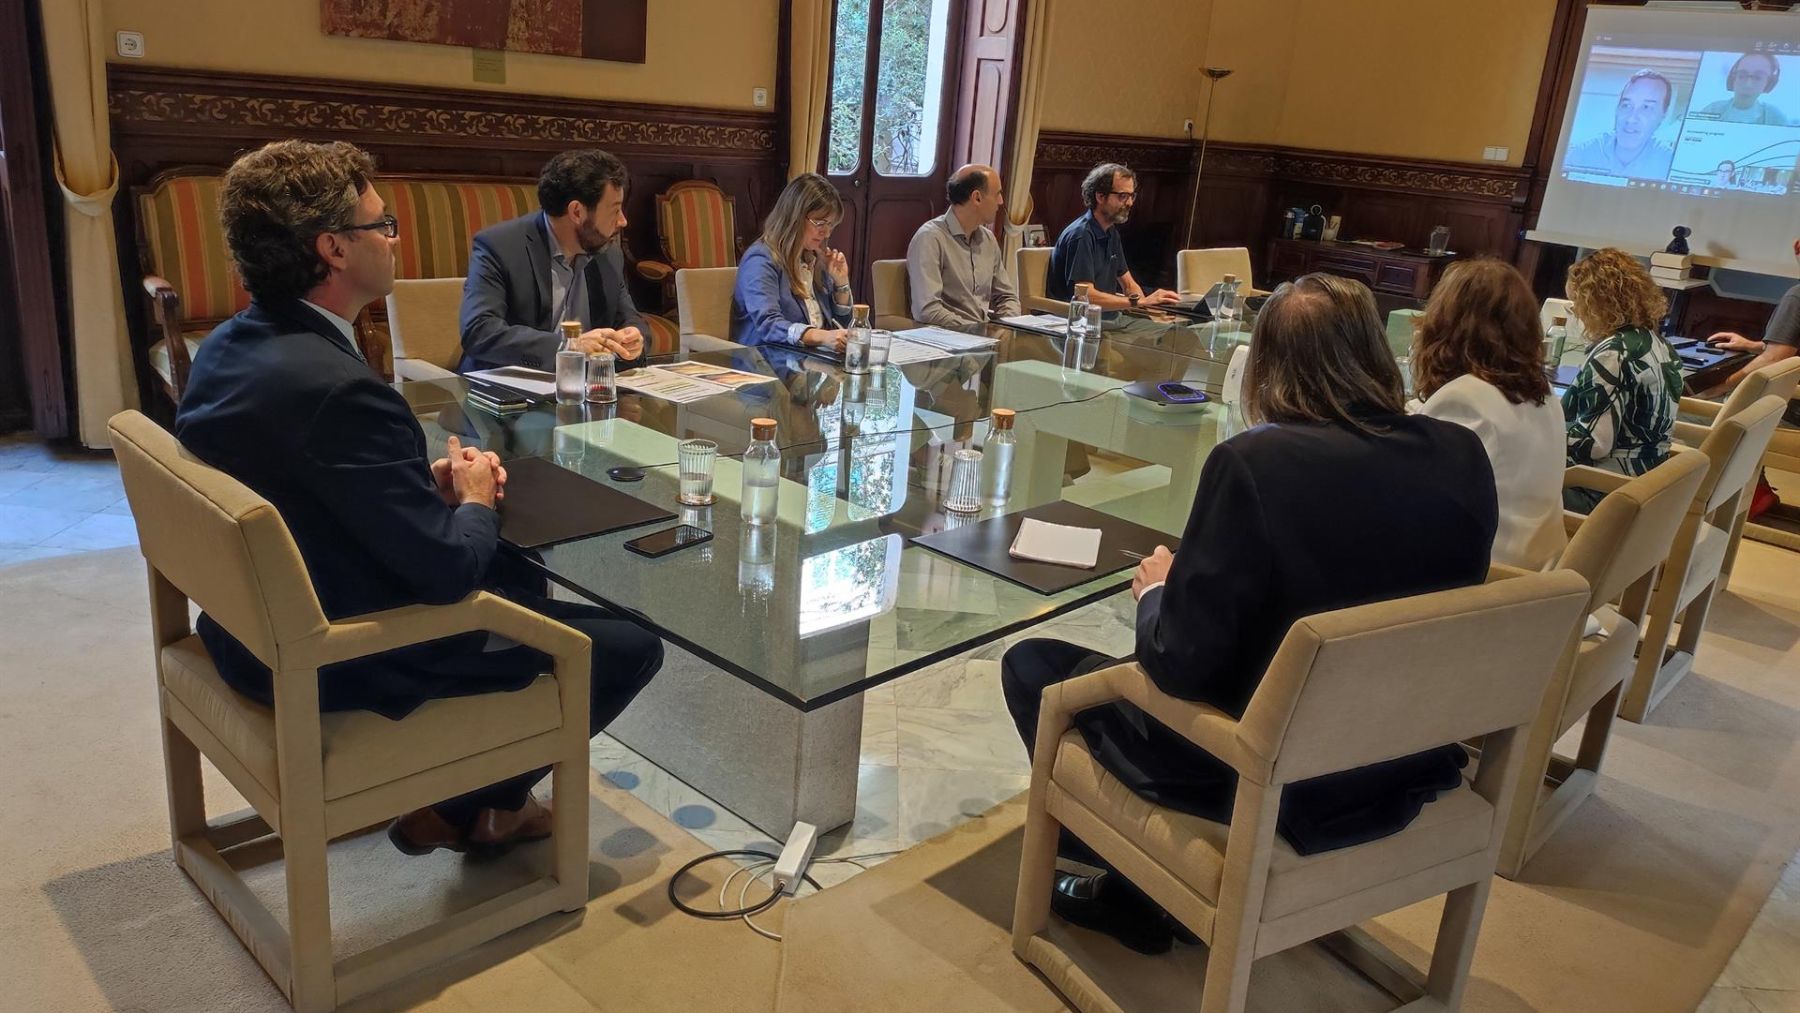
1090, 251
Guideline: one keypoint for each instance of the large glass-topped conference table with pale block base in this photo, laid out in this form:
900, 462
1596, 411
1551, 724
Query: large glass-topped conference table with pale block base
775, 634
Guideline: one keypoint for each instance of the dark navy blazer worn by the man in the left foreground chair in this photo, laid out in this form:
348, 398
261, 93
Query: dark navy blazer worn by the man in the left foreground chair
280, 400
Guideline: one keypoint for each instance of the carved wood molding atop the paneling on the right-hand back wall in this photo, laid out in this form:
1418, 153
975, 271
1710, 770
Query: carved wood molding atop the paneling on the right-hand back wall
1408, 175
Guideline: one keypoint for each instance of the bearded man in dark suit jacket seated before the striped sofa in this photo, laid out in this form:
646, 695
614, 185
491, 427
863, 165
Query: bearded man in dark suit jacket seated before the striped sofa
562, 264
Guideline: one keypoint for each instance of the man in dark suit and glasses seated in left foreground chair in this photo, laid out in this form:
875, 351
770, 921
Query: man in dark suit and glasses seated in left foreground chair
282, 400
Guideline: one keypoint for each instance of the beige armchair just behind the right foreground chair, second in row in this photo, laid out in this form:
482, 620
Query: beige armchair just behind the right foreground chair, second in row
1617, 550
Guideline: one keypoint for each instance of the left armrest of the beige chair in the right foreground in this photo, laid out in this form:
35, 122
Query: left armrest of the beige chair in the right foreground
1205, 726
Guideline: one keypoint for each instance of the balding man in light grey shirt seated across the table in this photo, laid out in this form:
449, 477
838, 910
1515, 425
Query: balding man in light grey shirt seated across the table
955, 265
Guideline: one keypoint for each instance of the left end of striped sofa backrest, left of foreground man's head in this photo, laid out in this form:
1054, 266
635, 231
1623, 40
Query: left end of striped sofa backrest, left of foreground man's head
181, 224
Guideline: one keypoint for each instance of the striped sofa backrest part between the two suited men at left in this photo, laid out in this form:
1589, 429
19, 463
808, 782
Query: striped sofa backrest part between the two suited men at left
438, 220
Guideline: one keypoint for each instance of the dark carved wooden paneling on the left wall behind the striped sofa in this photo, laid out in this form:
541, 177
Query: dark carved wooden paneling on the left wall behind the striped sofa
170, 118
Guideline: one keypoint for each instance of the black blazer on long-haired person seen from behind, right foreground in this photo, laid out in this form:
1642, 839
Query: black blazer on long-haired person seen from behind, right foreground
1291, 521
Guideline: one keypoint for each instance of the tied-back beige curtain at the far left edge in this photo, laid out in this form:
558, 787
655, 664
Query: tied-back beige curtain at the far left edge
89, 177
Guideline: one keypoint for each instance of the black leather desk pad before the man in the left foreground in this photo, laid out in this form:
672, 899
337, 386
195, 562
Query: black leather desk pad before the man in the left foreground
546, 505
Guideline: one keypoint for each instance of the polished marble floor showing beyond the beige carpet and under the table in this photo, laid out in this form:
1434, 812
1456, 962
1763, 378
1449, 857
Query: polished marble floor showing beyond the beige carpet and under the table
937, 746
